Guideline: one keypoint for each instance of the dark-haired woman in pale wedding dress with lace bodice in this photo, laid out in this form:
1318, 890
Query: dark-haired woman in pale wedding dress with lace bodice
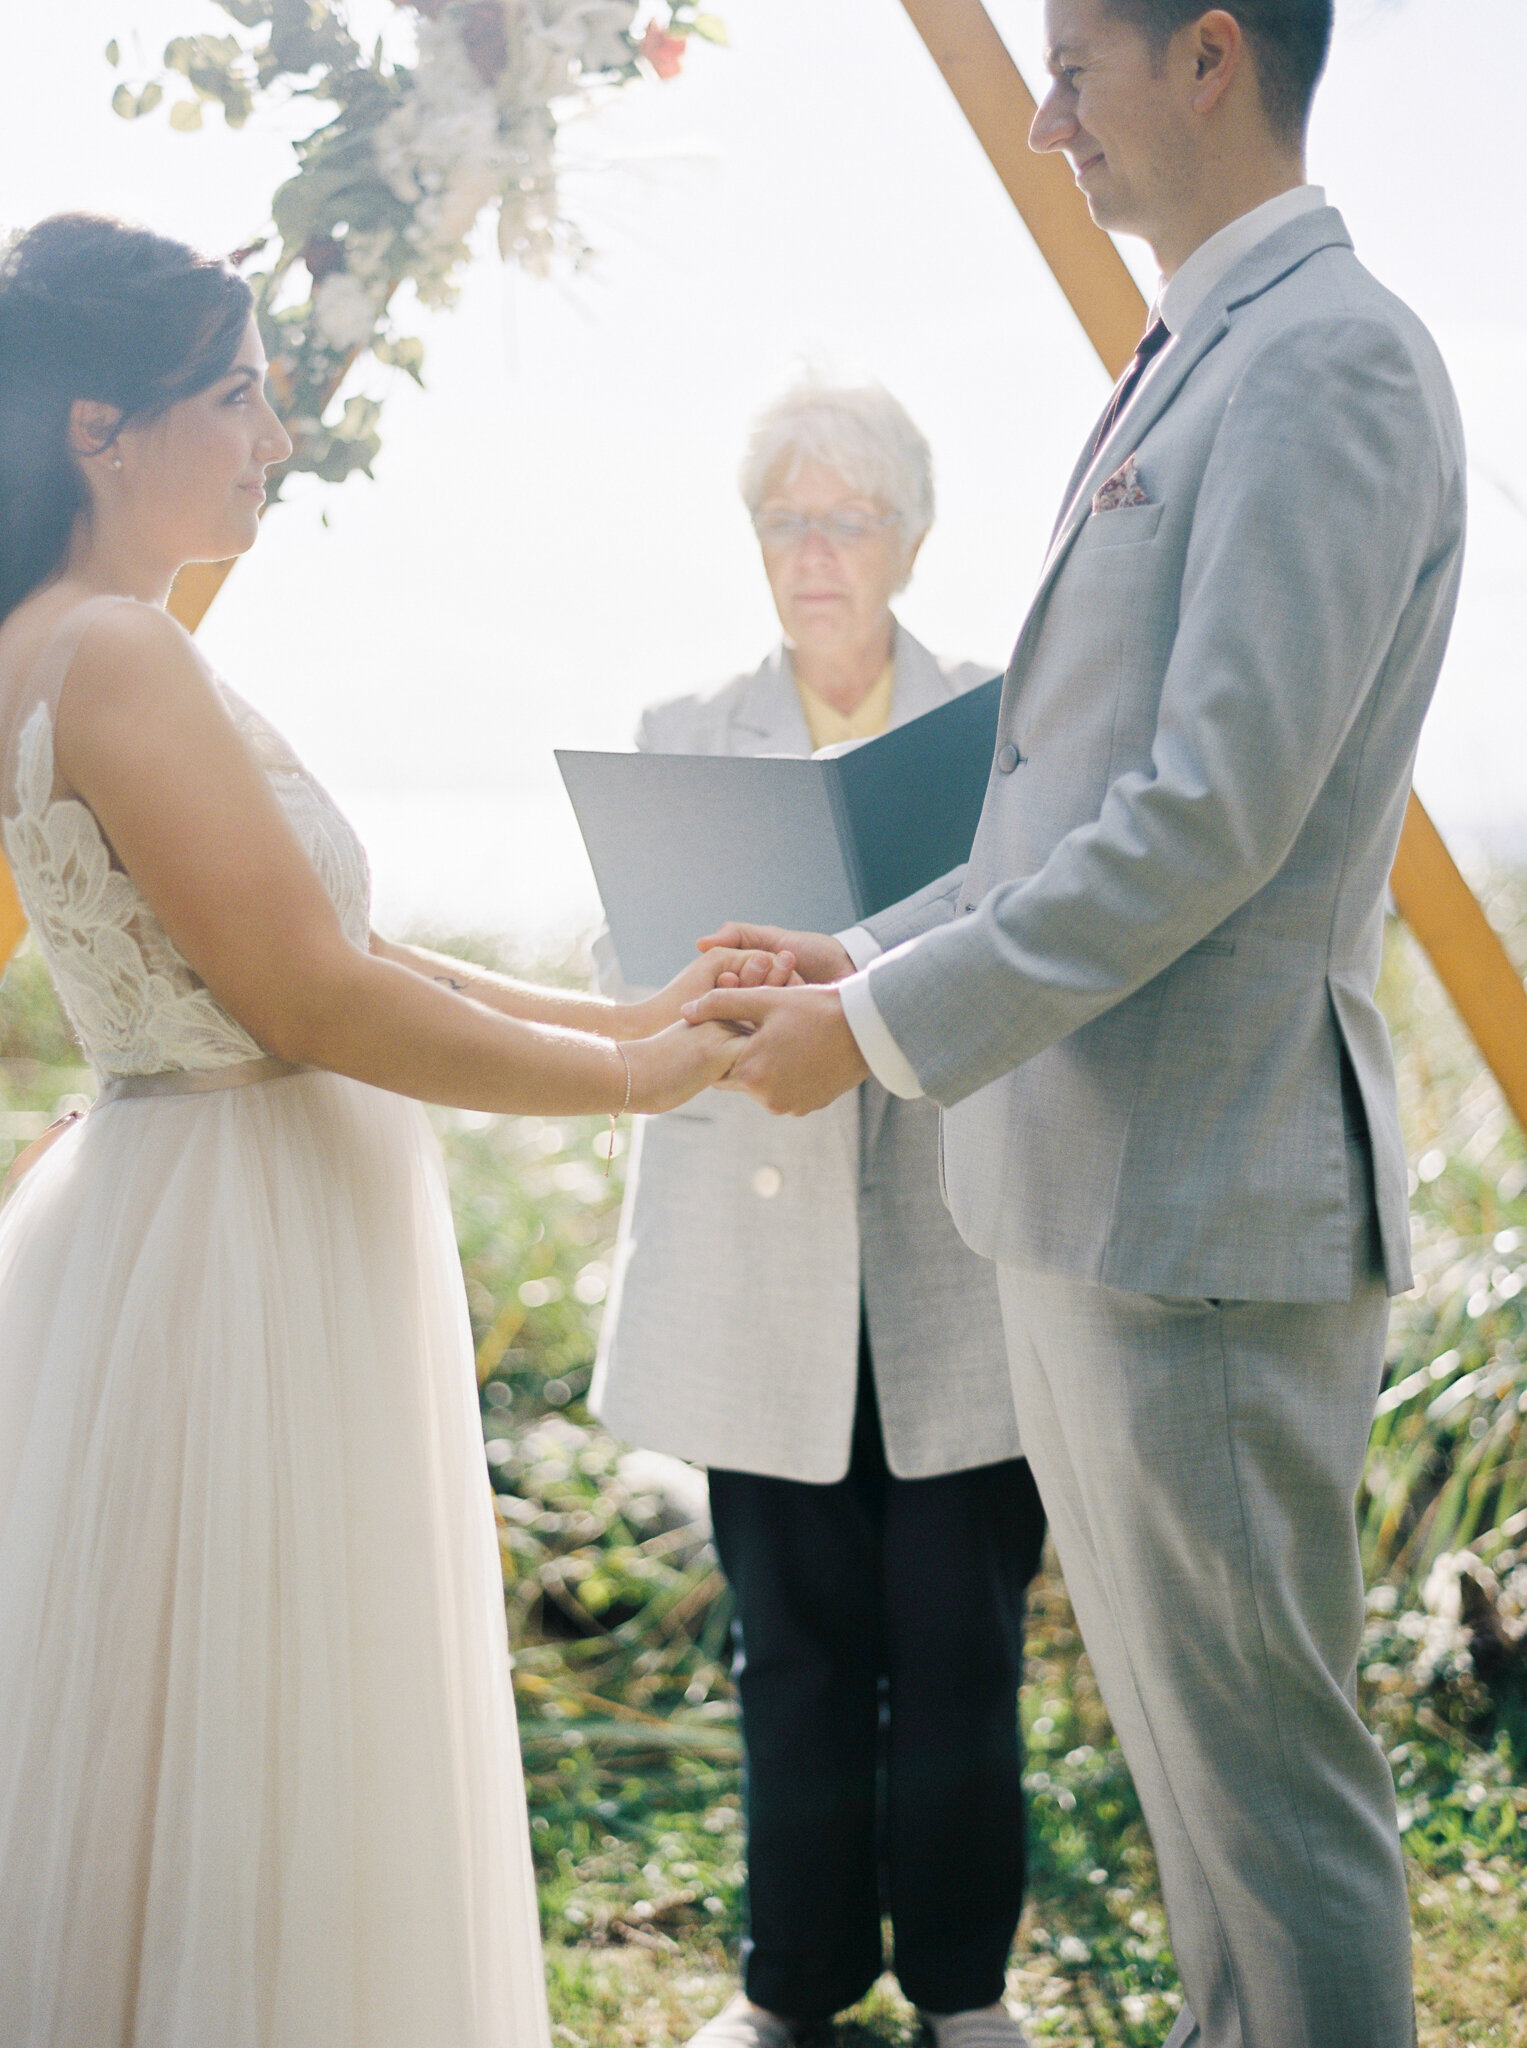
259, 1781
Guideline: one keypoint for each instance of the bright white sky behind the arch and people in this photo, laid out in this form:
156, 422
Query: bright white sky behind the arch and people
556, 540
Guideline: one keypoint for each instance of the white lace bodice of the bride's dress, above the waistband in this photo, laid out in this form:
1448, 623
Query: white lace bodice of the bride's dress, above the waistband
132, 998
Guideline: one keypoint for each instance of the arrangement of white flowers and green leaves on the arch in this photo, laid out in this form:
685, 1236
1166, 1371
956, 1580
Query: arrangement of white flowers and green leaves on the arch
392, 185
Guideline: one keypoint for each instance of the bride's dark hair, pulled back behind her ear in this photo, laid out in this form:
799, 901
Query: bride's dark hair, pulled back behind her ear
95, 310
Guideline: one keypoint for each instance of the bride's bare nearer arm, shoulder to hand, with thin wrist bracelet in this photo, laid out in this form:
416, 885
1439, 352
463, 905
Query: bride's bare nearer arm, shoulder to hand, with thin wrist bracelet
146, 742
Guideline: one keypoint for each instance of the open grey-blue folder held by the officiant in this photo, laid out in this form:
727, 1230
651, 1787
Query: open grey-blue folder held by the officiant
681, 843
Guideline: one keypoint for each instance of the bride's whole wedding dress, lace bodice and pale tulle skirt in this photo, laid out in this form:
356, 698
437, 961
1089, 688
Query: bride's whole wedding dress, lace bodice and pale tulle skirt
259, 1775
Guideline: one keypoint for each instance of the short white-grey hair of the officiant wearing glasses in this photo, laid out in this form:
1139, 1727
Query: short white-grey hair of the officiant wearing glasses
861, 431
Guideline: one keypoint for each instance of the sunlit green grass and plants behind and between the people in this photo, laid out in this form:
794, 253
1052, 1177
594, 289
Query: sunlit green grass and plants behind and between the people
619, 1615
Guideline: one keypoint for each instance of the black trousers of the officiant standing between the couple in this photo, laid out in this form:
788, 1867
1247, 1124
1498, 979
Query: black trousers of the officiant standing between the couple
879, 1654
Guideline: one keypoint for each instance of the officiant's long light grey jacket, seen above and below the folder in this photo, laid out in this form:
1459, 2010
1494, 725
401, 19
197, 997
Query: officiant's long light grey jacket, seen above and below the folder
748, 1240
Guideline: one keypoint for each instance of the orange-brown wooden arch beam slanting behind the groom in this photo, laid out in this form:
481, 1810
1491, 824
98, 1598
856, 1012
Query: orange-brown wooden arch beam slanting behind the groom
1430, 892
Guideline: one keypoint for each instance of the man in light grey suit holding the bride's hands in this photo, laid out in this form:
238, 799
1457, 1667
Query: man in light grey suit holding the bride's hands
1147, 1005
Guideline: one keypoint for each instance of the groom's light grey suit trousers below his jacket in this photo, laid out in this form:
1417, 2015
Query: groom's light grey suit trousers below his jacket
1198, 1463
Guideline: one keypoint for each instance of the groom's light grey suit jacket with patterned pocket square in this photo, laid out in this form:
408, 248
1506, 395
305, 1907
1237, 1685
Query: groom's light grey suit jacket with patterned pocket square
1137, 998
